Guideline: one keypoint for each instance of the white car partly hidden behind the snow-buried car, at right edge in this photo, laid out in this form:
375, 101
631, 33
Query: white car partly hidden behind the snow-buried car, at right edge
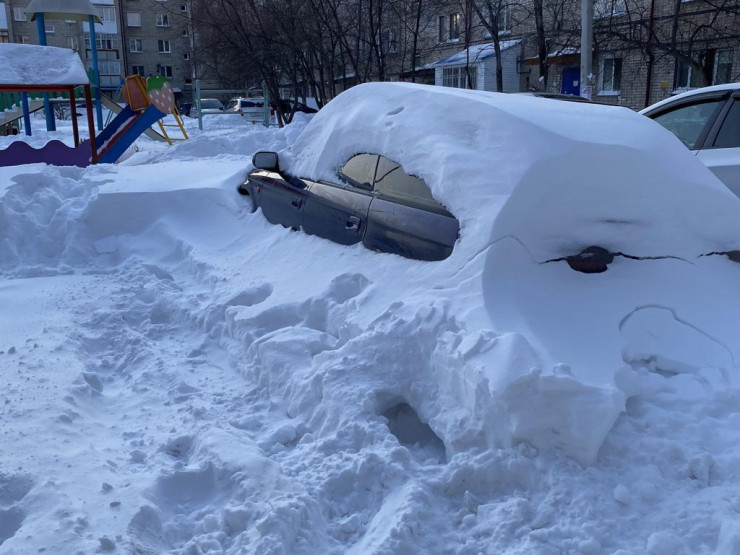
707, 121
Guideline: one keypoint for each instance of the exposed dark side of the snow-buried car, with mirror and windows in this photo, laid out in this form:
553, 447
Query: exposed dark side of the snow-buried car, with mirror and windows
372, 201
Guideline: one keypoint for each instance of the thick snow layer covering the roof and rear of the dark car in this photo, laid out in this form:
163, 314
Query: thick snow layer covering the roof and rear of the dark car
569, 174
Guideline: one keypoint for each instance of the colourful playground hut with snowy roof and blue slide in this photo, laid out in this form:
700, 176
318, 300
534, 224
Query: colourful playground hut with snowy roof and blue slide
42, 69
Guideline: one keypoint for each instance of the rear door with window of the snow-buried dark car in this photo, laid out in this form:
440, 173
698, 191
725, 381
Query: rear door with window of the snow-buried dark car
404, 218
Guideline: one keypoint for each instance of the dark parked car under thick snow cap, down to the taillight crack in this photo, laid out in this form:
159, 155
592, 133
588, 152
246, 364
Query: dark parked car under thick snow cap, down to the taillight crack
430, 172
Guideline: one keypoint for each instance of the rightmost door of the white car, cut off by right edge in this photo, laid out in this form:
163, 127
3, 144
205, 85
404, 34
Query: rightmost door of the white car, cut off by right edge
721, 152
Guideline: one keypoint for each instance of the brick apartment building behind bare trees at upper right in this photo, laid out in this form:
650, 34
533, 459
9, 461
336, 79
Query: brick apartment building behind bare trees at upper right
643, 50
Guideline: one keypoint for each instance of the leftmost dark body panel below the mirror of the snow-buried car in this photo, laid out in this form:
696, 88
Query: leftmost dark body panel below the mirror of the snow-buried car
281, 199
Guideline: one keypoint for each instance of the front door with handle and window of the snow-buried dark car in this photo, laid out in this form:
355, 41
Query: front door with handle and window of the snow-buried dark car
338, 211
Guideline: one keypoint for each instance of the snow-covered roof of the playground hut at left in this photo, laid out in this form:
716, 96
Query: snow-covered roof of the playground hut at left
28, 64
